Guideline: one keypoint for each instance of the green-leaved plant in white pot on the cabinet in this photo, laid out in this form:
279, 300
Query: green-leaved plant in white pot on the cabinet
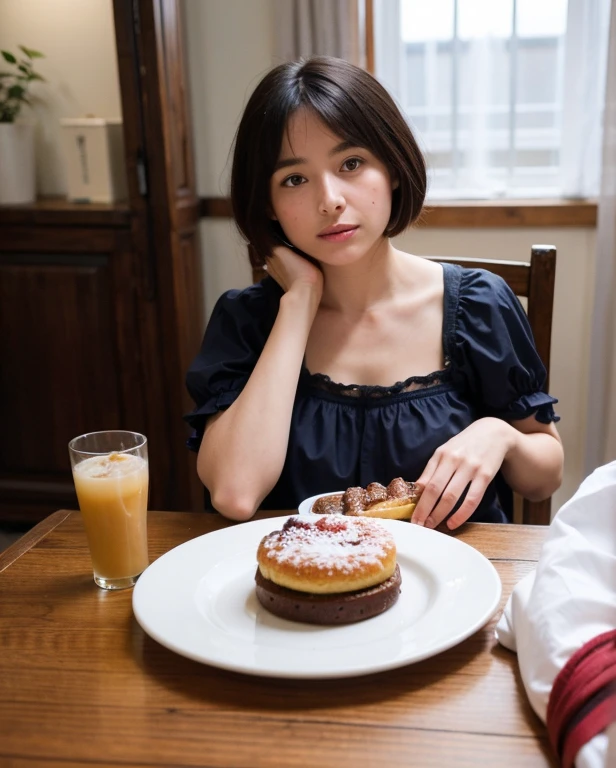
17, 169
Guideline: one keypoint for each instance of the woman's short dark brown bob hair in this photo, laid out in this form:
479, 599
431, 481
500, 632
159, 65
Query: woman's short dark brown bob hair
354, 106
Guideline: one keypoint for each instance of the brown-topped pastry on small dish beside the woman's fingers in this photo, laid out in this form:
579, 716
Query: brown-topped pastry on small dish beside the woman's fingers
397, 501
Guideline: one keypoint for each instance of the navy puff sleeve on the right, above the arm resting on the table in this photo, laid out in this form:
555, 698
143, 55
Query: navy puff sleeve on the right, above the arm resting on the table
494, 351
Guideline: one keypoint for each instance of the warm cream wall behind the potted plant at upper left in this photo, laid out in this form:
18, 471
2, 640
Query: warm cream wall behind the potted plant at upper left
77, 38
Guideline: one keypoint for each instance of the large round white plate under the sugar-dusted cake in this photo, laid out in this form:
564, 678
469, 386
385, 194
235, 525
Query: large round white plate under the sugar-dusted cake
199, 601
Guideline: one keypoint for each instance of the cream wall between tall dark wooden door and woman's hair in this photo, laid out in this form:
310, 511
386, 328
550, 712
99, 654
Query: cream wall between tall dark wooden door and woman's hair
230, 44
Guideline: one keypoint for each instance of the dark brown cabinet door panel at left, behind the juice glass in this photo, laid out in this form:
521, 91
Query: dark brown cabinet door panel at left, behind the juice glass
69, 357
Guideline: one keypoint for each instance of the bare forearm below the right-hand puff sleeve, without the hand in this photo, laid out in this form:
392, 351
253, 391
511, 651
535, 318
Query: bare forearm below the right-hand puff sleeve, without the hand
533, 464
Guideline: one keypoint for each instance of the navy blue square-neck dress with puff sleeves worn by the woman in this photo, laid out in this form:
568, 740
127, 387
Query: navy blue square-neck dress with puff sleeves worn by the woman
347, 435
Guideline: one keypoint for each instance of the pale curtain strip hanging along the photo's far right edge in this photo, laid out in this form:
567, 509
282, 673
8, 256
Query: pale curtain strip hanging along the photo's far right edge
601, 434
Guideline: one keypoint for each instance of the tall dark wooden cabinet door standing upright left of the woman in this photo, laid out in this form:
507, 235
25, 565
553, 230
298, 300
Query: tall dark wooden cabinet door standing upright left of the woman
165, 215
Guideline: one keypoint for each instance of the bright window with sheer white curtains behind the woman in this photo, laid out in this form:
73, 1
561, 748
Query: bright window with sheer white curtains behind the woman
489, 87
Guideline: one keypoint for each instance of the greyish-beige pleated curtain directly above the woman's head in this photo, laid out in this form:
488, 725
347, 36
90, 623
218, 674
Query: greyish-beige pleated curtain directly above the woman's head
318, 27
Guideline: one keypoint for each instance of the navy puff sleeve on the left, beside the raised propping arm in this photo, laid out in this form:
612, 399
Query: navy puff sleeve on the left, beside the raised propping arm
234, 338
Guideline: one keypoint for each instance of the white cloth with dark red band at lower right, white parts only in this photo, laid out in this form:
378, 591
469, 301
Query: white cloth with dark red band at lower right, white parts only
569, 599
